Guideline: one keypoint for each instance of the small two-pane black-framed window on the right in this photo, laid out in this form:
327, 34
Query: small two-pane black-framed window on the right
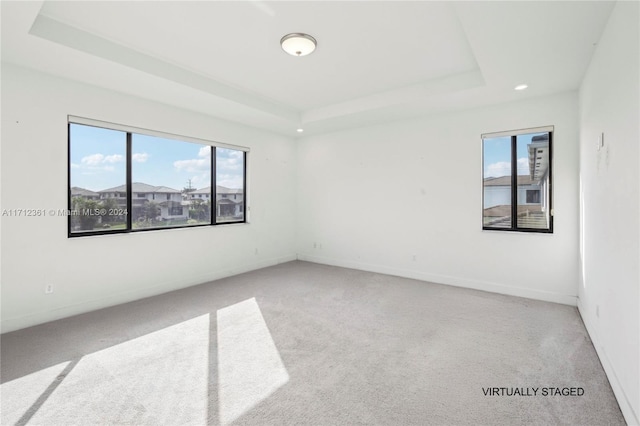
517, 180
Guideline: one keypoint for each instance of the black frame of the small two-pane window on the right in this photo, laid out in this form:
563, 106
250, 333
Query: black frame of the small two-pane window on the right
514, 181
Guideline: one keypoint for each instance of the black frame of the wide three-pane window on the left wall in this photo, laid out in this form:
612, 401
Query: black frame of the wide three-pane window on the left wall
130, 131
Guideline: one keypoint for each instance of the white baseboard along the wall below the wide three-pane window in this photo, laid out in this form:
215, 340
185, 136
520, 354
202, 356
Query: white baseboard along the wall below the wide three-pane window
29, 320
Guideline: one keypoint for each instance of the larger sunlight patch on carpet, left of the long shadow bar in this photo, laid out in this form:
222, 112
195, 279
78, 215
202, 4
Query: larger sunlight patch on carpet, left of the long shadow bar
157, 378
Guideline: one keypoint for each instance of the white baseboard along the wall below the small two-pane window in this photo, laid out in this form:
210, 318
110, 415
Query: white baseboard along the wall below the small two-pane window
445, 279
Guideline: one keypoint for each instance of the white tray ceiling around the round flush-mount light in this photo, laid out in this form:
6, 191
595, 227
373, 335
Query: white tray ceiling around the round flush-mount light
376, 60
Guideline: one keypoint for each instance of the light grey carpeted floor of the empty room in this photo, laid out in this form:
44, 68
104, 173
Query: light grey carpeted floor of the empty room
301, 343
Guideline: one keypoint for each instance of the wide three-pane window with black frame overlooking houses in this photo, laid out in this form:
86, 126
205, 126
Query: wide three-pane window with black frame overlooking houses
125, 180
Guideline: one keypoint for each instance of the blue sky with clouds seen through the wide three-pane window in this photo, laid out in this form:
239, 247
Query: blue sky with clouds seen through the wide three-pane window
98, 161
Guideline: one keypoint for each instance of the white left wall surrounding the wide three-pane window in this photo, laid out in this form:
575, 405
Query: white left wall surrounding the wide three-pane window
94, 272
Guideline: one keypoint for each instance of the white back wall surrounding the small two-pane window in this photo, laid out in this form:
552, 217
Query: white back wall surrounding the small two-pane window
373, 198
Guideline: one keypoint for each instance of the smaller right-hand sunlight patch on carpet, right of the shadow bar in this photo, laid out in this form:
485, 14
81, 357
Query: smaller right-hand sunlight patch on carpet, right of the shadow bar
249, 364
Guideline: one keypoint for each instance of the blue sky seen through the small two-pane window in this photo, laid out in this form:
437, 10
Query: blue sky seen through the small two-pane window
497, 155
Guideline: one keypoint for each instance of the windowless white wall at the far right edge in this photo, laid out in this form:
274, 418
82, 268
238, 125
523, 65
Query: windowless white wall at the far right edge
610, 216
